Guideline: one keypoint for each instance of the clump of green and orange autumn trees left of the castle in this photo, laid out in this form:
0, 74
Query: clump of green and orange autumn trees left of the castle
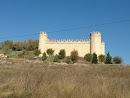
29, 45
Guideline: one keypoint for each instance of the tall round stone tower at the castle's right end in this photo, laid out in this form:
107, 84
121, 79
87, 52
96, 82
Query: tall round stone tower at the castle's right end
95, 43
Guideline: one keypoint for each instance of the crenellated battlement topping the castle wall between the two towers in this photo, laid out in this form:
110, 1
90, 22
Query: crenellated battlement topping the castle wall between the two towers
68, 41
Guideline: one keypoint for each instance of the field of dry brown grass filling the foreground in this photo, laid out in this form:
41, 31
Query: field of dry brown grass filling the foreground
41, 81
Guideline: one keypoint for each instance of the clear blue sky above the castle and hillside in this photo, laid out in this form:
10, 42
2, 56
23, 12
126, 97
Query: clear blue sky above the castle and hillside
26, 17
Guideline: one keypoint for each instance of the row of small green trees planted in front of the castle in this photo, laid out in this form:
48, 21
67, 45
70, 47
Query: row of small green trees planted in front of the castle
88, 57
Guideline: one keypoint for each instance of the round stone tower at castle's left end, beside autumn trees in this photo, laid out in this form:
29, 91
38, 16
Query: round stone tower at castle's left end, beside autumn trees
43, 37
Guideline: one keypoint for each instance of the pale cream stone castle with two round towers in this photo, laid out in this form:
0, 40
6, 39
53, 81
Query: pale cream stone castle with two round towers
94, 45
